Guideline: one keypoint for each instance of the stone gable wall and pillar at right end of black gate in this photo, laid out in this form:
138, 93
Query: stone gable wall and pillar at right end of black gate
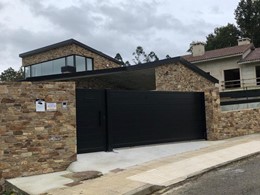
177, 77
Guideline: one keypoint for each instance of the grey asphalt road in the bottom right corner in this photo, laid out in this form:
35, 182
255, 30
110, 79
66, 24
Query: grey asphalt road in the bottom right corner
240, 178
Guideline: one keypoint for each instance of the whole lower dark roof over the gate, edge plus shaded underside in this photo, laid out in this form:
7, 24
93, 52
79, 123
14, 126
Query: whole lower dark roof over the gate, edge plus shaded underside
132, 77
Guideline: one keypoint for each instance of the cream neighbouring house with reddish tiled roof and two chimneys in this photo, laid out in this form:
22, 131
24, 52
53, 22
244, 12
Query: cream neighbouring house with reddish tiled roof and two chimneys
235, 67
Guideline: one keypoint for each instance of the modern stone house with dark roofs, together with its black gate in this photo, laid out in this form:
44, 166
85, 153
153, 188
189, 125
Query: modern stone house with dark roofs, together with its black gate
109, 117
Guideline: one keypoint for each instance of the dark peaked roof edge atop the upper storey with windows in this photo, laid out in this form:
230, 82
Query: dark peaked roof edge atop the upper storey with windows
65, 43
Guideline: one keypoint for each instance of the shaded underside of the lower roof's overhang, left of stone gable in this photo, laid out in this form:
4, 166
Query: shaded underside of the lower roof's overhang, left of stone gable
123, 77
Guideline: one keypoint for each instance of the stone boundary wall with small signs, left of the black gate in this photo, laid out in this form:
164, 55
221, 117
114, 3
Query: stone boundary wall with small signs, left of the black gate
36, 142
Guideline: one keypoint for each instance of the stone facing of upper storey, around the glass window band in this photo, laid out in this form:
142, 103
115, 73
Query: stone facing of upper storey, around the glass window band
100, 62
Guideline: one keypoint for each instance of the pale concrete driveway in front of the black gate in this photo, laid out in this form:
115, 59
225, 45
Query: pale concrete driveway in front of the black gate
126, 157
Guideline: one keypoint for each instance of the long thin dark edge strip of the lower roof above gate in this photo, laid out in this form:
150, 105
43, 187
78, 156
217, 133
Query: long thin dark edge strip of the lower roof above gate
148, 65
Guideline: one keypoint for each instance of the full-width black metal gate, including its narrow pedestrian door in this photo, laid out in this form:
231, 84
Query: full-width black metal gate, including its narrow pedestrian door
130, 118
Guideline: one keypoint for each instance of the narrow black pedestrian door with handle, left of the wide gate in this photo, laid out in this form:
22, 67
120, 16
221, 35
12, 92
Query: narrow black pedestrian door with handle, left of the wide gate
91, 124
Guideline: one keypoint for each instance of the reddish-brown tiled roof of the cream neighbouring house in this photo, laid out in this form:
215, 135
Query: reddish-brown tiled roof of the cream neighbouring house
219, 53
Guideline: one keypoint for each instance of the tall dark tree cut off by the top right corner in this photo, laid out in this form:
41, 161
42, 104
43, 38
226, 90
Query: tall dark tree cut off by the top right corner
247, 15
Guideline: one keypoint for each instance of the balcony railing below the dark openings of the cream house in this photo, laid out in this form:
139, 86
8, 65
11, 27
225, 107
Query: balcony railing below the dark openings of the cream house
241, 84
